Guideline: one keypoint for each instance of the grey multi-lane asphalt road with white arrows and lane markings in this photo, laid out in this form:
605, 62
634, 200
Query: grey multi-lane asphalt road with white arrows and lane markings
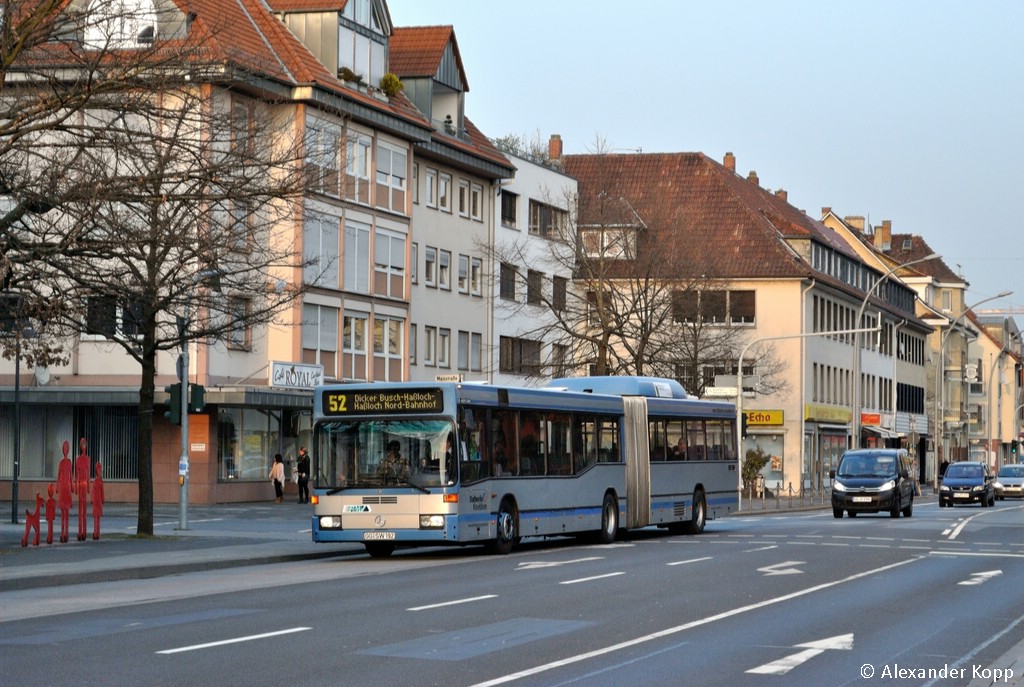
800, 599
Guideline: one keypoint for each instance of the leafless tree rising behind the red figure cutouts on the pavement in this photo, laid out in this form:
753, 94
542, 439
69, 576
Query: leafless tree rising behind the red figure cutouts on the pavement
126, 205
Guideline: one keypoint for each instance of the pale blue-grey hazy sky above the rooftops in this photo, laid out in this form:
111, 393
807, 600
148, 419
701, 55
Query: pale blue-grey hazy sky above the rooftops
909, 111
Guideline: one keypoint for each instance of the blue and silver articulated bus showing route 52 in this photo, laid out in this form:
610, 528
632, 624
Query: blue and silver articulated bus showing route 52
429, 464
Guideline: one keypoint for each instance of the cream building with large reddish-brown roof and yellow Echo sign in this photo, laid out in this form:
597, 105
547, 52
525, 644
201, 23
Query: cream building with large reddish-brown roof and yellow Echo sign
793, 289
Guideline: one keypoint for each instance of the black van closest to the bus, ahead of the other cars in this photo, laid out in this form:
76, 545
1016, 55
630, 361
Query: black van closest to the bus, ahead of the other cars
872, 481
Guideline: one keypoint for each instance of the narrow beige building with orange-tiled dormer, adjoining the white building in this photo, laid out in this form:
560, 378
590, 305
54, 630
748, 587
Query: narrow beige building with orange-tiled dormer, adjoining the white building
456, 179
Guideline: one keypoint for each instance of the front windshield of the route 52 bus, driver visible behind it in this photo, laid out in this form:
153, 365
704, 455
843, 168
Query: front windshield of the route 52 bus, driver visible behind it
386, 453
